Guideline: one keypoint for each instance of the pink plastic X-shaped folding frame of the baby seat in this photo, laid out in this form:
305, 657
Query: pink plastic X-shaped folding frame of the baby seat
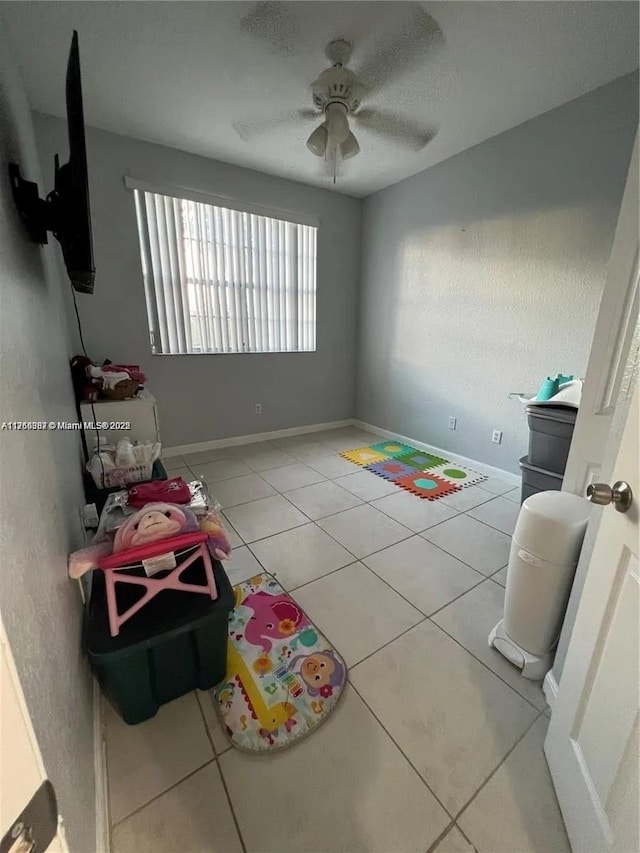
185, 549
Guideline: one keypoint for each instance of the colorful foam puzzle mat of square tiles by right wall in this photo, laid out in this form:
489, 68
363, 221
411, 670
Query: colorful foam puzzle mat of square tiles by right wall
419, 472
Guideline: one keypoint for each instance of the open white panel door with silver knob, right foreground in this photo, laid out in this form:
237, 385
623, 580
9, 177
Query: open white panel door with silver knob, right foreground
592, 743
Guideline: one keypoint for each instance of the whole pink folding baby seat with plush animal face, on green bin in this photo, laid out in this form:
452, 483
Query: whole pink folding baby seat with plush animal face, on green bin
152, 549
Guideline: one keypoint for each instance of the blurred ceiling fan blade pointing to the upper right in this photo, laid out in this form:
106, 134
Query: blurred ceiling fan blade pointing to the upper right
394, 57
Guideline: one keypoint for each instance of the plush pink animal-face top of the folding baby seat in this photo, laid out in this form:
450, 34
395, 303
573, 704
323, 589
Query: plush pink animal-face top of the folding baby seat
152, 523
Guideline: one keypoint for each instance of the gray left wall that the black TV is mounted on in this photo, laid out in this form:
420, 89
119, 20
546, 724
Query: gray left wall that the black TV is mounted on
41, 488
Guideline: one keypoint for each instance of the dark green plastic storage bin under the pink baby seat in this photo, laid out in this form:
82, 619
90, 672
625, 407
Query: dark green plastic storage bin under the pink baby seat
175, 644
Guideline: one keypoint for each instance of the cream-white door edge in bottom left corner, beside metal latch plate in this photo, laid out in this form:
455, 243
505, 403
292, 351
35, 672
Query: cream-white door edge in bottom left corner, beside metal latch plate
21, 767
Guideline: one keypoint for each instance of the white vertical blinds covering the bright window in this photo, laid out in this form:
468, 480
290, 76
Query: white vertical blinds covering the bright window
220, 280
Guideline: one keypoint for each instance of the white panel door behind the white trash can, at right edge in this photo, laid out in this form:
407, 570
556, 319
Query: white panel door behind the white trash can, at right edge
611, 341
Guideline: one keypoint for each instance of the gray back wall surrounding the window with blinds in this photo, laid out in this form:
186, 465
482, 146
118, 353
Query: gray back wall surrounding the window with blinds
204, 397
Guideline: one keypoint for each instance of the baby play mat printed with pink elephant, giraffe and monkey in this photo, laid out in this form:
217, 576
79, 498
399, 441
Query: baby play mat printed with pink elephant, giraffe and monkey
283, 677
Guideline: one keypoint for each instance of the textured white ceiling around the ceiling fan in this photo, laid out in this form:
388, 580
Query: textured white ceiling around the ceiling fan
179, 73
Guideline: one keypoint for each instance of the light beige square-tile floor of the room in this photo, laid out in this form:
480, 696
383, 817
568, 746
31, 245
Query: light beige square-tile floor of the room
437, 745
